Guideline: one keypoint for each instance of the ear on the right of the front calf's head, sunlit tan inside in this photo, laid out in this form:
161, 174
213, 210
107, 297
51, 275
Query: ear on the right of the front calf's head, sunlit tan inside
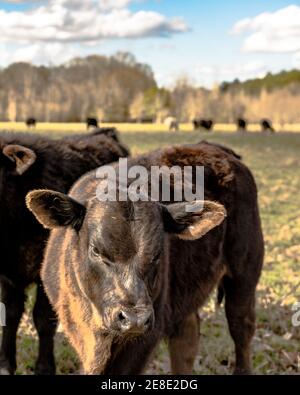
201, 217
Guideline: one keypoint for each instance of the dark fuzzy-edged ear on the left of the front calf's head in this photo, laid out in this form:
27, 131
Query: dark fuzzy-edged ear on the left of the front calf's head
54, 209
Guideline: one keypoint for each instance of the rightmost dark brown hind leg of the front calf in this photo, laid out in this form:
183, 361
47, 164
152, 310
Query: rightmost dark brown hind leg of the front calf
240, 313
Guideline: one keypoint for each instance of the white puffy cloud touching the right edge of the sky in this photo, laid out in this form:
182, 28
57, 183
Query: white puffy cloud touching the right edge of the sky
277, 32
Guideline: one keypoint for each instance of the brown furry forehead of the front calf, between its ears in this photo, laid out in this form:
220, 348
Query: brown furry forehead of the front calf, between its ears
125, 230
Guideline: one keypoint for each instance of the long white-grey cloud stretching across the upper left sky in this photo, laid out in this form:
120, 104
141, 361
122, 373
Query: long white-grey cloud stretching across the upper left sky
83, 21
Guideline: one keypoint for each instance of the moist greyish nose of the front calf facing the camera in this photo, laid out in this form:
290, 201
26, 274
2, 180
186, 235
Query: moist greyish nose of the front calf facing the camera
135, 322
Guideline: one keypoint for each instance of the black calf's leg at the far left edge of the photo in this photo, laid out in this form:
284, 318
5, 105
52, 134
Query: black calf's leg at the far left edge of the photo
13, 299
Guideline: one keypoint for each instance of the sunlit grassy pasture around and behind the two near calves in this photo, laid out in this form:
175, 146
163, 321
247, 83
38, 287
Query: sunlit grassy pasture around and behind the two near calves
275, 162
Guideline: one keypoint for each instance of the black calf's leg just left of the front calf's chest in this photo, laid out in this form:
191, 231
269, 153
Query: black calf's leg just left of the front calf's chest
45, 322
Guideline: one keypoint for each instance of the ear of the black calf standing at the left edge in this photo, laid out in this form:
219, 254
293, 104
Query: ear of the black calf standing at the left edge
22, 156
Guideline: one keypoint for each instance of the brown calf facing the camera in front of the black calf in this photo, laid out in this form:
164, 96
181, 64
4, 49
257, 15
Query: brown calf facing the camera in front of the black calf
123, 275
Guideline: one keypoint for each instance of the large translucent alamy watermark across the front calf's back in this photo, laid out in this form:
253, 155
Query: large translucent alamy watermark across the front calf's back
159, 183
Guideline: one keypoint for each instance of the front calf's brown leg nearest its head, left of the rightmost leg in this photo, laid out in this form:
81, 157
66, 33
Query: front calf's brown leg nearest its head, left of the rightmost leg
183, 345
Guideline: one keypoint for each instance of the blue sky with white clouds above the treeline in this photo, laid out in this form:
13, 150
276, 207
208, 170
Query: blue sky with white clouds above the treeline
205, 41
